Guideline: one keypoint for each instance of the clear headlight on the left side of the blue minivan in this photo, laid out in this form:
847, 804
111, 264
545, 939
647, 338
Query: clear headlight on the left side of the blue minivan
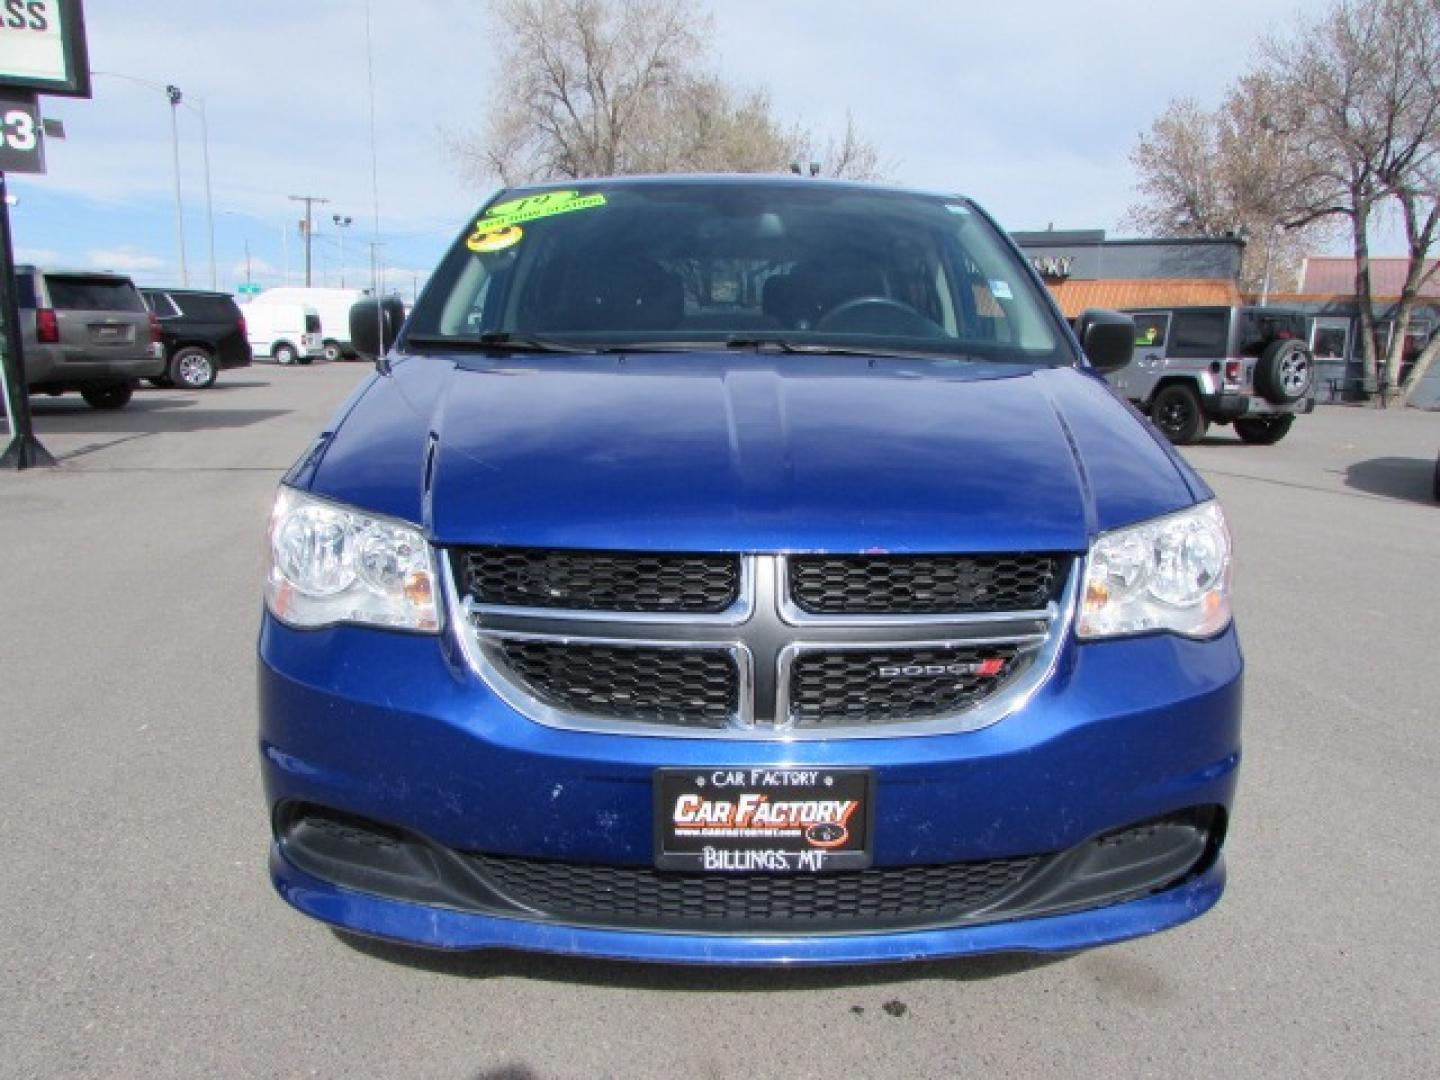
329, 565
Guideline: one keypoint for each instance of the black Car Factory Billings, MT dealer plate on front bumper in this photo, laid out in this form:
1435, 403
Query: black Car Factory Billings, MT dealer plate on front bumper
764, 820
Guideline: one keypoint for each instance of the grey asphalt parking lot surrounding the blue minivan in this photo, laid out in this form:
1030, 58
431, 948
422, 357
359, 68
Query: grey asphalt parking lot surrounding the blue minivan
140, 935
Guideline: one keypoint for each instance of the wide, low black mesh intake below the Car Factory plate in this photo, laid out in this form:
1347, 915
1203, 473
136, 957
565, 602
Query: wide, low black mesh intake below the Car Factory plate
881, 896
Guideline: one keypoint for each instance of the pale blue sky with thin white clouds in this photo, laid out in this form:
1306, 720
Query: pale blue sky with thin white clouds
1032, 107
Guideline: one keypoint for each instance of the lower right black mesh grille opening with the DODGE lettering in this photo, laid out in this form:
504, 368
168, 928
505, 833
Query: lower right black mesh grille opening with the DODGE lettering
846, 688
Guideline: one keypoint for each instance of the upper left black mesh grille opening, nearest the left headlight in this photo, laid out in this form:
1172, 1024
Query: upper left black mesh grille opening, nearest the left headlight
600, 581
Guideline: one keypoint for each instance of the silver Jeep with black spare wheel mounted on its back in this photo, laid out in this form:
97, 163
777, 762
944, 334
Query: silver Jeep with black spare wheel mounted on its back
1228, 365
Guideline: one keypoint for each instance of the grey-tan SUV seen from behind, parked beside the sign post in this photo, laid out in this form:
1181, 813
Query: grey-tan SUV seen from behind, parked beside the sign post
87, 332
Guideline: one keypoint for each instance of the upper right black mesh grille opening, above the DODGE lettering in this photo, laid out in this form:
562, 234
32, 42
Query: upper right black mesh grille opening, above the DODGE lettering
924, 585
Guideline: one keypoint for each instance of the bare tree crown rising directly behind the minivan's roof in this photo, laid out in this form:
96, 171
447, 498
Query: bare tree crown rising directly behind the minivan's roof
616, 87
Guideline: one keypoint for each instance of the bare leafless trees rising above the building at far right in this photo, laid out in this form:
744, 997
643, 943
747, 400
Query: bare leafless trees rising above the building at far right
1338, 122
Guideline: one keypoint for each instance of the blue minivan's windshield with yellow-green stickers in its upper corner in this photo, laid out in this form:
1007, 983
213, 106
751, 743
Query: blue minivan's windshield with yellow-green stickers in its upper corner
754, 263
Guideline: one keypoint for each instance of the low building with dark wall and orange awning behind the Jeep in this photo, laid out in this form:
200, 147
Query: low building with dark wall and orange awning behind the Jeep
1086, 270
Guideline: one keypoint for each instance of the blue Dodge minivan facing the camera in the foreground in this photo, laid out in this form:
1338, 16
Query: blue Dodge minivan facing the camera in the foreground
745, 571
